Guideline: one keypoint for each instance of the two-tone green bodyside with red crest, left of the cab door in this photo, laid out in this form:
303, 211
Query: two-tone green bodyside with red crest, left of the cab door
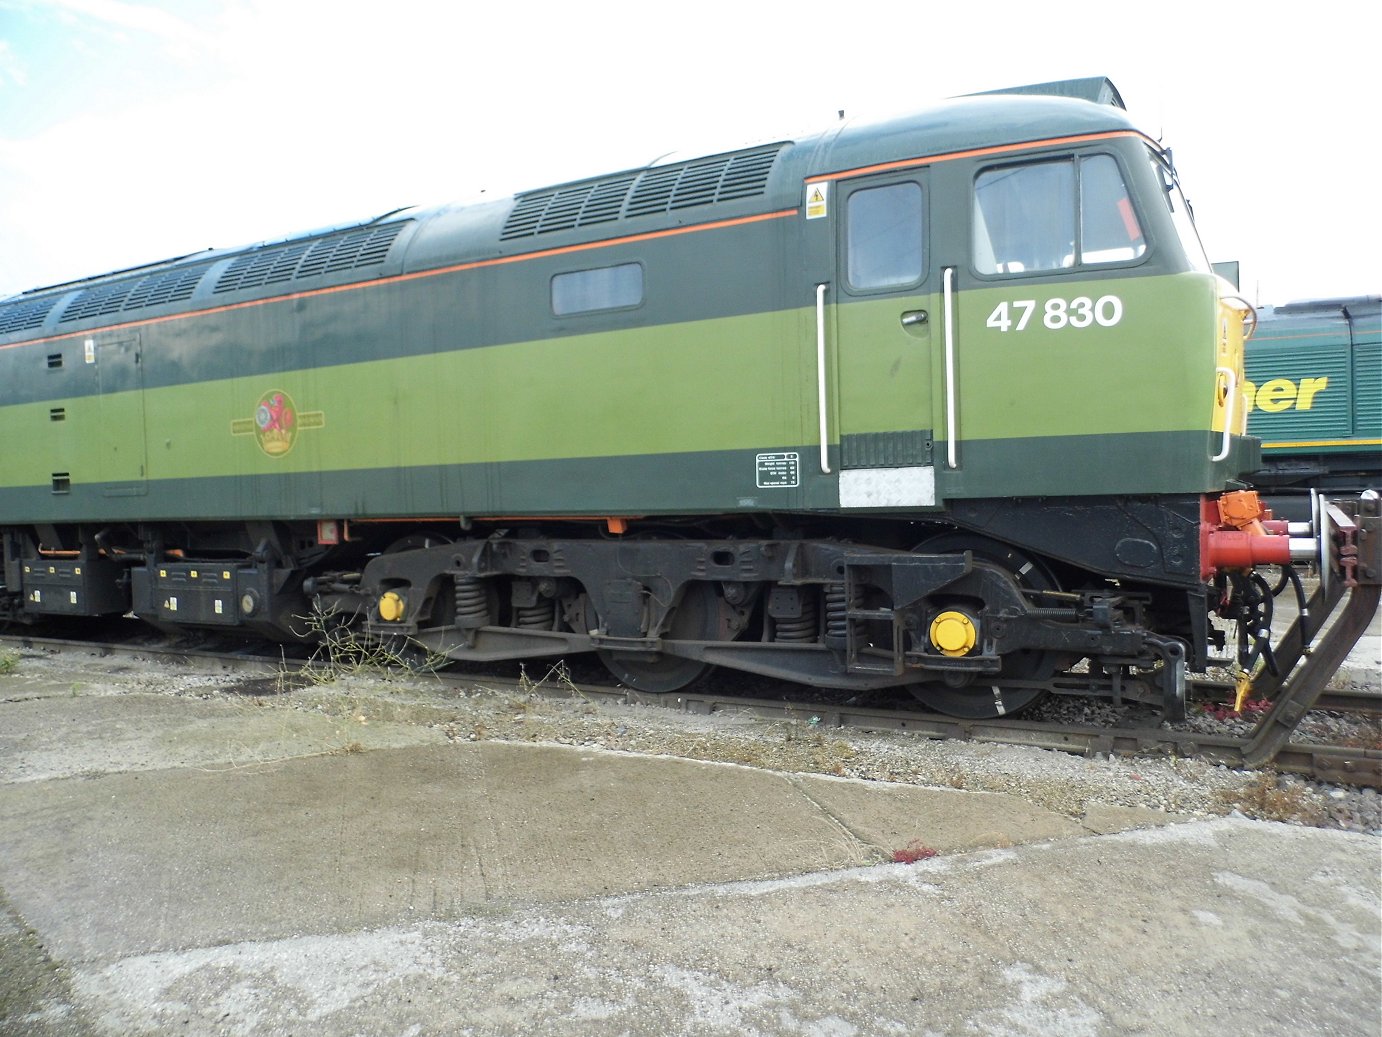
451, 414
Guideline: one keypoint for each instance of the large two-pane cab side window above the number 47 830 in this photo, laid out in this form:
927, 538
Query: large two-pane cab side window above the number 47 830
1045, 216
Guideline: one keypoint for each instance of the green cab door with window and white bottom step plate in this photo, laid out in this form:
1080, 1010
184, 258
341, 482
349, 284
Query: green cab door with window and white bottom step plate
885, 316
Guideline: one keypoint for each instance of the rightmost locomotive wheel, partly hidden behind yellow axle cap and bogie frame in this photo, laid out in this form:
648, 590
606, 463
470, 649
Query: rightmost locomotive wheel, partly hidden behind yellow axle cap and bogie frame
987, 696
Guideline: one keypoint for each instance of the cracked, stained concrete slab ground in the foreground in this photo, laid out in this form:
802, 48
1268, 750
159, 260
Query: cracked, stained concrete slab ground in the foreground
186, 866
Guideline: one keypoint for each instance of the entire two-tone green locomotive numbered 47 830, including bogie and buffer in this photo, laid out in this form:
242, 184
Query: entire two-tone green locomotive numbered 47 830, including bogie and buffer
943, 402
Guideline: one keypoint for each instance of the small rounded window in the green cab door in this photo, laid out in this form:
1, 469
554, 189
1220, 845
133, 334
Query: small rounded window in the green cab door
884, 237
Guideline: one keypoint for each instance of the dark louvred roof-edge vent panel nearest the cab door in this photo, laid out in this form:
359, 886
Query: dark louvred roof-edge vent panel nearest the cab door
663, 190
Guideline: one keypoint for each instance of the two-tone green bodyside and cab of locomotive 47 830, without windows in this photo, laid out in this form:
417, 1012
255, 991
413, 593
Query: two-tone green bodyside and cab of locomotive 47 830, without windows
440, 381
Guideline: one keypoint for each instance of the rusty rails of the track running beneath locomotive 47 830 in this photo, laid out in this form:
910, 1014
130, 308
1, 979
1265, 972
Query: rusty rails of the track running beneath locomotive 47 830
1145, 738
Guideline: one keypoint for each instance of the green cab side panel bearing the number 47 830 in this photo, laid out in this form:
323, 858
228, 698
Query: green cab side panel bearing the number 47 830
1116, 406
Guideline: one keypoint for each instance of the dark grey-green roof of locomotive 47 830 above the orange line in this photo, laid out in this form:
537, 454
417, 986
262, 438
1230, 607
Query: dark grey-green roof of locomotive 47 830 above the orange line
664, 193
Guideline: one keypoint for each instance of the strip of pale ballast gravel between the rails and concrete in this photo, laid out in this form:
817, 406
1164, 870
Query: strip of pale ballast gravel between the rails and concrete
549, 709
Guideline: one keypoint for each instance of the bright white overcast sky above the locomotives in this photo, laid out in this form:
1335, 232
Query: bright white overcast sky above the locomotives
135, 131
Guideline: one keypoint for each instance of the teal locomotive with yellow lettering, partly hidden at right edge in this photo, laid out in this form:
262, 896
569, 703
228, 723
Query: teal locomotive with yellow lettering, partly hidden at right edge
1315, 395
